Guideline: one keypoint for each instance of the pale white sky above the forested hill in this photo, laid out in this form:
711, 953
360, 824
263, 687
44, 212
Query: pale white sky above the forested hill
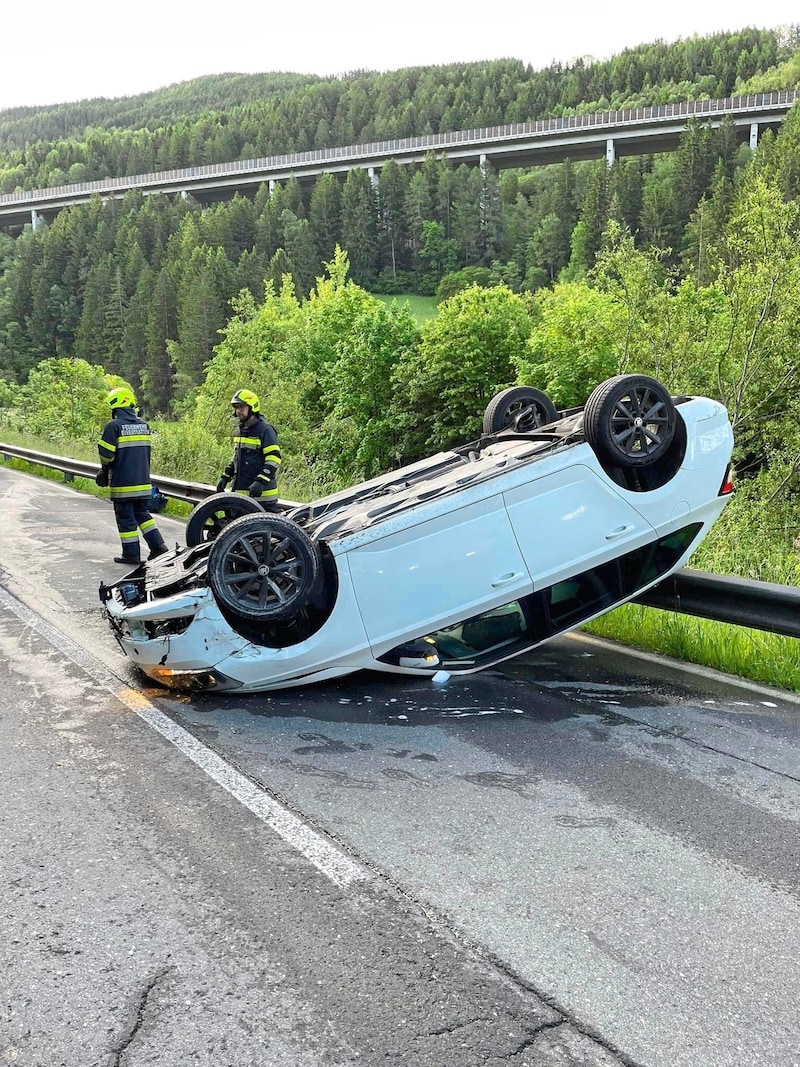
59, 52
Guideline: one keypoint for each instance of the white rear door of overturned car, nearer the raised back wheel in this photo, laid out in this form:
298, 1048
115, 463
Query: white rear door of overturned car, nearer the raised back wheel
571, 520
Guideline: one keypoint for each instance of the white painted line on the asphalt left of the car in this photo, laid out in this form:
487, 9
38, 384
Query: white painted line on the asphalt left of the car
322, 853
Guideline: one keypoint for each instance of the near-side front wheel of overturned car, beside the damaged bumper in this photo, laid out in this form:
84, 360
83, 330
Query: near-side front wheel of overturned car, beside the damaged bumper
264, 567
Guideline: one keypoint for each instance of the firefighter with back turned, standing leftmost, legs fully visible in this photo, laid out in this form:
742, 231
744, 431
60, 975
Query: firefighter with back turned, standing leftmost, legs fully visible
125, 457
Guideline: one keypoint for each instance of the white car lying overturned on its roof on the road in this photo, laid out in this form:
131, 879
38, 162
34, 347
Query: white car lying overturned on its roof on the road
456, 563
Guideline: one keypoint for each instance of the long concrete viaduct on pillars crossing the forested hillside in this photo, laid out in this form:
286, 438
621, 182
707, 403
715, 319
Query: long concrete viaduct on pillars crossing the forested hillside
633, 132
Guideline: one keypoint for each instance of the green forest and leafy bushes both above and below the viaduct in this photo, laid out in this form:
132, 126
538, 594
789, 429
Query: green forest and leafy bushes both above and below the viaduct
684, 266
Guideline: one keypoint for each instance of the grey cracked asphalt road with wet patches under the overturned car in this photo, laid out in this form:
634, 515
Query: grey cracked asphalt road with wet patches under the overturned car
590, 858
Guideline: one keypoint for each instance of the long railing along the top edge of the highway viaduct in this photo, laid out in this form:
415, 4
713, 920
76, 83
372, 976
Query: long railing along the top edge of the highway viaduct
430, 142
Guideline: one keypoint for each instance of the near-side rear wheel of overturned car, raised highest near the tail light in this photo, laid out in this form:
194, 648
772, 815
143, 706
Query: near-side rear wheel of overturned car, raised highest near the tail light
631, 421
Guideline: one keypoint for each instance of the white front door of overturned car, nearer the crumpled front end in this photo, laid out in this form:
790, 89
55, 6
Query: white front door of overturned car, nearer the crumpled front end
435, 572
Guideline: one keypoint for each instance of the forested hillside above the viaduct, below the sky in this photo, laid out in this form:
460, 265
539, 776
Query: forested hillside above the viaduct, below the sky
244, 117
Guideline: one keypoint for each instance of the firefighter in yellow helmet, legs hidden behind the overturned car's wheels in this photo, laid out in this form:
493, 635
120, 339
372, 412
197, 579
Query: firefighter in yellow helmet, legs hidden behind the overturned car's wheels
257, 455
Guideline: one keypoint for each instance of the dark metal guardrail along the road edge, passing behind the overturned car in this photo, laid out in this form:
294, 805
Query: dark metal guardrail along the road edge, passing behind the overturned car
759, 606
